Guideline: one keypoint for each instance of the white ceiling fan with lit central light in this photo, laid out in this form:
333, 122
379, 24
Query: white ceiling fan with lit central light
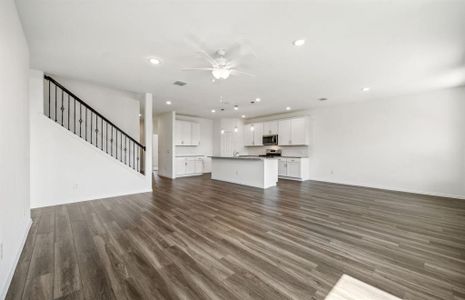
222, 62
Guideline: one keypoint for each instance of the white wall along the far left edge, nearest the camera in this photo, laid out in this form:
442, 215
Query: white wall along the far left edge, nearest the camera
14, 141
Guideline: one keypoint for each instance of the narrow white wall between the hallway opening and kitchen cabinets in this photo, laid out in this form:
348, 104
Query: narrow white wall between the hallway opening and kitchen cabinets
166, 148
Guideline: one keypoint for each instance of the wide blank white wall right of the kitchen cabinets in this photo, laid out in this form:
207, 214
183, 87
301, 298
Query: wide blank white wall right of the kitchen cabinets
412, 143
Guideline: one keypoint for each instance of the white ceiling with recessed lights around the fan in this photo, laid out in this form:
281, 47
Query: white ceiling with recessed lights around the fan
393, 47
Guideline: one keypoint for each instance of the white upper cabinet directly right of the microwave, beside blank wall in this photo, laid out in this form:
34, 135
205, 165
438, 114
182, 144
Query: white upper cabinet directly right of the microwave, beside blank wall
293, 132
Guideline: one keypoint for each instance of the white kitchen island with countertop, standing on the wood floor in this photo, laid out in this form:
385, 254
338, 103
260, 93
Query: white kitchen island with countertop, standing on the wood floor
261, 172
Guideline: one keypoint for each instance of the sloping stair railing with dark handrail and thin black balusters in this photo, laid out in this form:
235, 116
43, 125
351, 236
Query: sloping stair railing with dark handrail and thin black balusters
72, 113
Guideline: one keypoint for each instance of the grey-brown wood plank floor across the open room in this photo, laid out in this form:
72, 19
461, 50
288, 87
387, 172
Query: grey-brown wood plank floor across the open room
194, 238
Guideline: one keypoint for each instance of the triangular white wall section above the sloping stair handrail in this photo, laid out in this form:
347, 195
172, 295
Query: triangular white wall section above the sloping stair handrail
120, 107
